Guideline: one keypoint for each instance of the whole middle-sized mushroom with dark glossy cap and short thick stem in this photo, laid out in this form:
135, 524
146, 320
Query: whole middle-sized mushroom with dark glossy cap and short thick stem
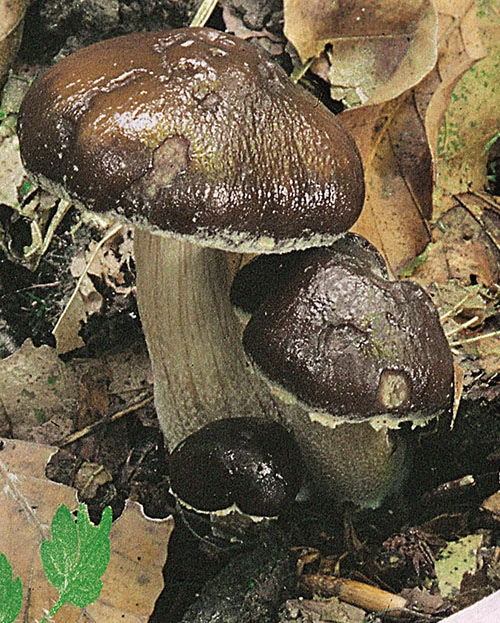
354, 355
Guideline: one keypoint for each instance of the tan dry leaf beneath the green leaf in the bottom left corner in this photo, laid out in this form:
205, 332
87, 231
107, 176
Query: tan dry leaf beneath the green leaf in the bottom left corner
133, 579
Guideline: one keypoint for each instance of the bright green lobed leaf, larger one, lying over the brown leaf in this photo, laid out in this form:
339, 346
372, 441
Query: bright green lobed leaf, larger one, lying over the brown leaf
77, 556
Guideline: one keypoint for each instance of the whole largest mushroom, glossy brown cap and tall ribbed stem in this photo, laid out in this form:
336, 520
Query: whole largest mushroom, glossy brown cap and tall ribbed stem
206, 146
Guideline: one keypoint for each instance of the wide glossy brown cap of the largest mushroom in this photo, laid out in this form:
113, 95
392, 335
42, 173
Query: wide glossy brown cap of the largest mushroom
196, 133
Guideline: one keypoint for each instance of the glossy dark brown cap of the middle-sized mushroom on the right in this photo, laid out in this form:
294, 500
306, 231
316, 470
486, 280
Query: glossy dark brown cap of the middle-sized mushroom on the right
348, 343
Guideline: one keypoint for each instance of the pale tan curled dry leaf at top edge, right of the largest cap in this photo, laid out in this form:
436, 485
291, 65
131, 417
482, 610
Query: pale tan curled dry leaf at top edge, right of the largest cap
374, 50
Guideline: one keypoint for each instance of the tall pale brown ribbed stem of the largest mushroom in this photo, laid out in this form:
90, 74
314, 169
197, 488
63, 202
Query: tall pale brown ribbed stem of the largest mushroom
200, 369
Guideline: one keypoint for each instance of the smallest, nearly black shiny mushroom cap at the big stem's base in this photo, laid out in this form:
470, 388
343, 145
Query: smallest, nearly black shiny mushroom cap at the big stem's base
249, 463
